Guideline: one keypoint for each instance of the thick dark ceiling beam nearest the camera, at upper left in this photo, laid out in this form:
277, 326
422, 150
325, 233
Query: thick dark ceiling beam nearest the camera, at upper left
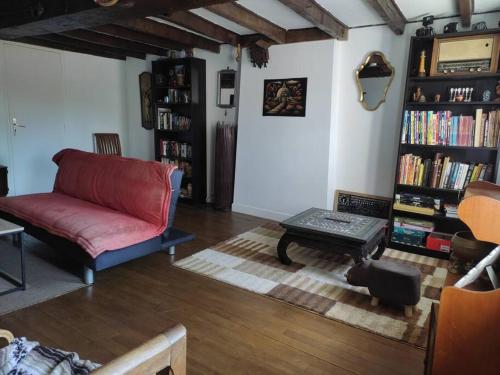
26, 18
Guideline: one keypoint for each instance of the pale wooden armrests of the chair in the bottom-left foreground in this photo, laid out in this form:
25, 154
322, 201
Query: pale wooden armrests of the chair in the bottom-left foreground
166, 351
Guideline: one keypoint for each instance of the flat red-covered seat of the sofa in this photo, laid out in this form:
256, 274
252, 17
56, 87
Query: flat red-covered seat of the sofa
93, 227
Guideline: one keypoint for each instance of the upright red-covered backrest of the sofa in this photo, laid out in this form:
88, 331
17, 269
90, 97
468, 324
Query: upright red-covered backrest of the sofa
139, 188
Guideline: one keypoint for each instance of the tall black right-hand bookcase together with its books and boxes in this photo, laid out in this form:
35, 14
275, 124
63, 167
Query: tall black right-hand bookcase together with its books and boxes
444, 145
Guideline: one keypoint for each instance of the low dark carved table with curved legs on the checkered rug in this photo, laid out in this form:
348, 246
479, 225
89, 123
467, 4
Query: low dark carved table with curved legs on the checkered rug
361, 237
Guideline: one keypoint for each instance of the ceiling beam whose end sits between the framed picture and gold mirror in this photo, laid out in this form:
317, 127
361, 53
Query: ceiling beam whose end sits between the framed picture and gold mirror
319, 17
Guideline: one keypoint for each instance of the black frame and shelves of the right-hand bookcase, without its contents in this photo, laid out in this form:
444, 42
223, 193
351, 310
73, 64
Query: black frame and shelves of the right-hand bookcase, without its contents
432, 85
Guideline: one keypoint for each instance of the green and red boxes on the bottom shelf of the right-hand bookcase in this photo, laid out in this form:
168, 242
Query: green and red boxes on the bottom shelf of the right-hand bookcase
420, 233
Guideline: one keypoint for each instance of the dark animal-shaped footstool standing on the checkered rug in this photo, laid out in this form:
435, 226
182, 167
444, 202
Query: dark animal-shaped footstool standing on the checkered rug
393, 282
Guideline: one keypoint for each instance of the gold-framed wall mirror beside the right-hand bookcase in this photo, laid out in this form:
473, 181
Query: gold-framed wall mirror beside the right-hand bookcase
374, 77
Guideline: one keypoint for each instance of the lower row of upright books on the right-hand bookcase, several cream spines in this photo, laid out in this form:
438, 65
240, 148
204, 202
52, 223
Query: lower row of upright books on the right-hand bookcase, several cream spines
442, 172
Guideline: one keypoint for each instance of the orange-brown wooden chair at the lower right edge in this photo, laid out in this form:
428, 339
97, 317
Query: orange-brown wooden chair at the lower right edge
464, 335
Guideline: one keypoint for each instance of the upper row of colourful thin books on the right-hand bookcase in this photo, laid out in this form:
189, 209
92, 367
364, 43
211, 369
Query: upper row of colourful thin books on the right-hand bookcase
443, 128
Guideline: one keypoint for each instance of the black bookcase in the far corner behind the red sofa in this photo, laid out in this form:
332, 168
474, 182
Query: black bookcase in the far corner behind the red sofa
179, 97
